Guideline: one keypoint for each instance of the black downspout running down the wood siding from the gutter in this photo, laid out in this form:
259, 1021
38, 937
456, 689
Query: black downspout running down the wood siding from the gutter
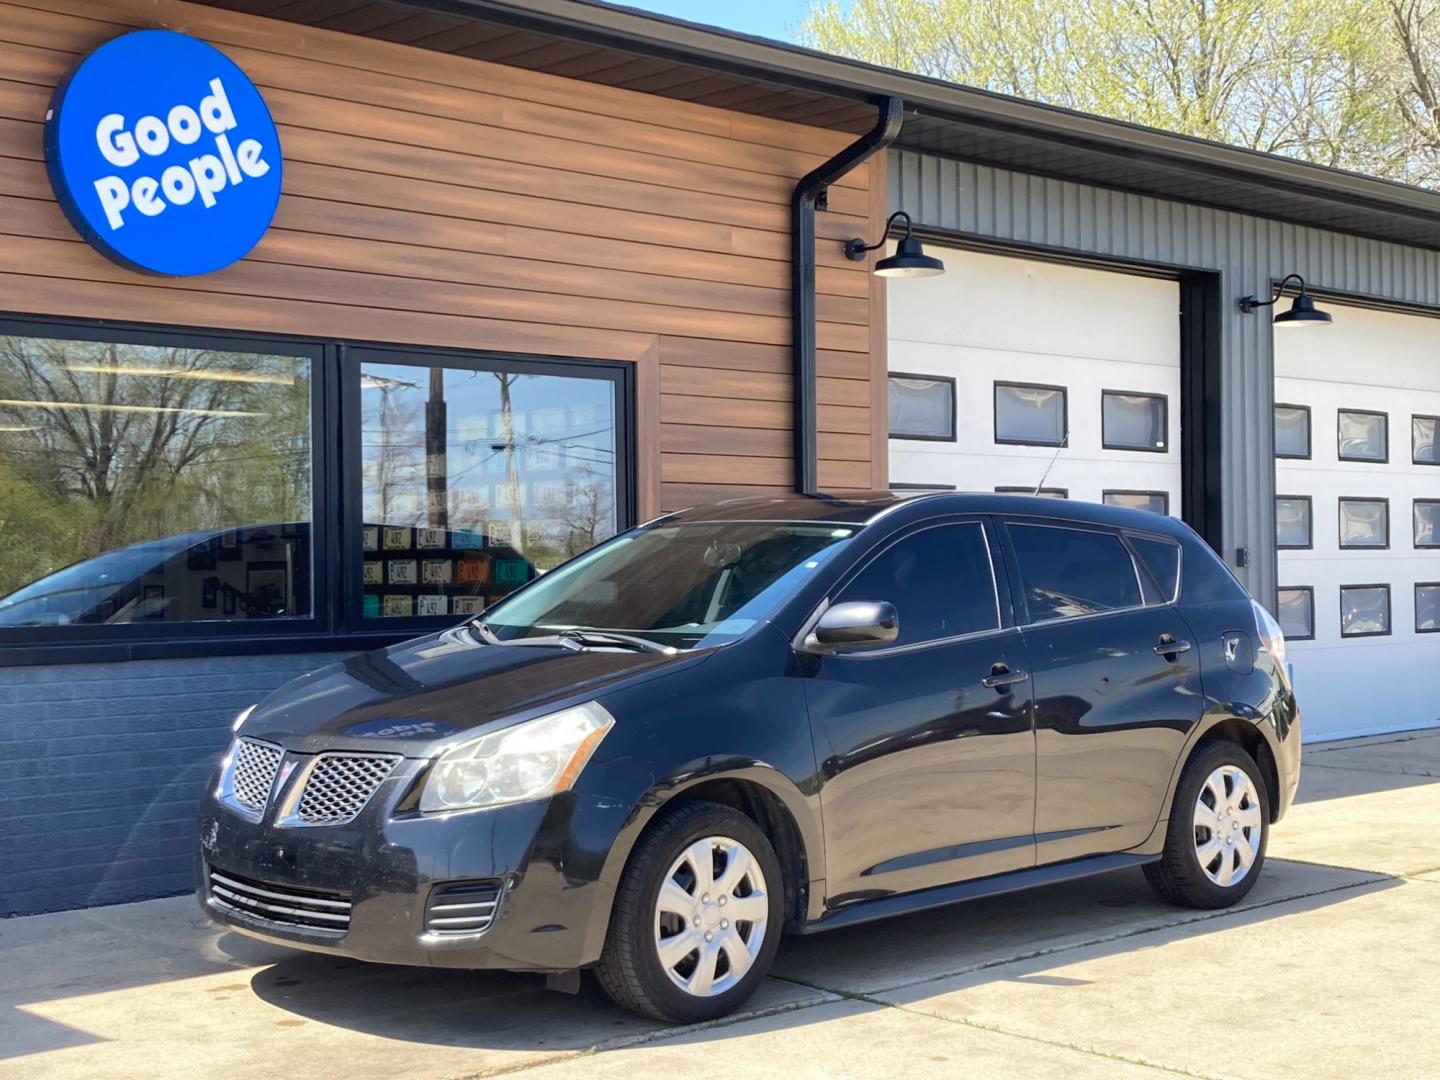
810, 194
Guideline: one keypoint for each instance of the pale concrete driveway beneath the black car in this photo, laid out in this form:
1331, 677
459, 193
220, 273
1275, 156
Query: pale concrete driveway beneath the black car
1330, 970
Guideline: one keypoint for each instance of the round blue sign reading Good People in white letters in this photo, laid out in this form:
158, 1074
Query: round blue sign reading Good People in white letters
163, 155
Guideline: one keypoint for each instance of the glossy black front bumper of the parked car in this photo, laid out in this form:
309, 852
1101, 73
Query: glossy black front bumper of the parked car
546, 859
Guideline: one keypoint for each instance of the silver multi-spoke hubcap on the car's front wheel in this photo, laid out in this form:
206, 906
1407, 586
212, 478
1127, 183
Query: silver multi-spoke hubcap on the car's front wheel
711, 917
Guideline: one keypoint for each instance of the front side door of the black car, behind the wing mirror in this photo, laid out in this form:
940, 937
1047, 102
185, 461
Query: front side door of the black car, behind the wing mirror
925, 745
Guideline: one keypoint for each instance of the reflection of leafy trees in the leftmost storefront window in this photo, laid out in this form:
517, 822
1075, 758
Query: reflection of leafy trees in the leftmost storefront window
107, 444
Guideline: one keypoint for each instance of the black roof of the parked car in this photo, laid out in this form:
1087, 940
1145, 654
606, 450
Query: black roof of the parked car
866, 508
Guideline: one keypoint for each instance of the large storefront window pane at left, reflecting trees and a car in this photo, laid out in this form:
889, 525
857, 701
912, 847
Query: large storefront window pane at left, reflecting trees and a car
152, 483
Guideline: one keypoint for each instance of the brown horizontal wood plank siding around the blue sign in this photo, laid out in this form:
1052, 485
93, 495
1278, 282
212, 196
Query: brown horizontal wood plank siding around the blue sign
443, 201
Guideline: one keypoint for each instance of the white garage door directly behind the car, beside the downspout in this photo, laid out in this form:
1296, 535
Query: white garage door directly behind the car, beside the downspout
1002, 362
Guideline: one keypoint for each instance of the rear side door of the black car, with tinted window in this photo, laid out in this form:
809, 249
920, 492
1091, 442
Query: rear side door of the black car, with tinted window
1117, 686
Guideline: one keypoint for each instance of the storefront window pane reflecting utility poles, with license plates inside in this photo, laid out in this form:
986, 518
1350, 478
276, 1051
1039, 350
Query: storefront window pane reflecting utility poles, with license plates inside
474, 480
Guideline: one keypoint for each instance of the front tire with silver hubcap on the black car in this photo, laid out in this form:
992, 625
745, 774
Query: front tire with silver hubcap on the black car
643, 921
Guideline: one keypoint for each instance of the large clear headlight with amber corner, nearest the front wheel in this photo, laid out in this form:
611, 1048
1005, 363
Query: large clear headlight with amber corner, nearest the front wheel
529, 761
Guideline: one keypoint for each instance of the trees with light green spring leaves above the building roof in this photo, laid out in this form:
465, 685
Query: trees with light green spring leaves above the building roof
1341, 83
